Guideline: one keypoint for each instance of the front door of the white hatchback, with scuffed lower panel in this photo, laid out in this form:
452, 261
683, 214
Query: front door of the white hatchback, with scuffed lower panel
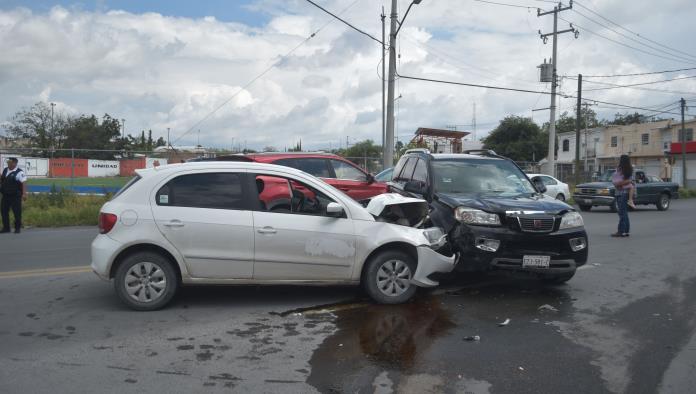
302, 243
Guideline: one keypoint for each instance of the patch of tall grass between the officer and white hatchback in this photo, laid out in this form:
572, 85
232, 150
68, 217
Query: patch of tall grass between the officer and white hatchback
62, 208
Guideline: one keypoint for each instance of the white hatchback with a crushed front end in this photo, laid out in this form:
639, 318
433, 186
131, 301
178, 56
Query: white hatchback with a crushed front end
250, 223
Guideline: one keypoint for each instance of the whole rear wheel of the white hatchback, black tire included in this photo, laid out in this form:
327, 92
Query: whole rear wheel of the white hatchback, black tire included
136, 266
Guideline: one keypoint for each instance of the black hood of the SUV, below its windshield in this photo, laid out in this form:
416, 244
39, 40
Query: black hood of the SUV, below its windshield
498, 204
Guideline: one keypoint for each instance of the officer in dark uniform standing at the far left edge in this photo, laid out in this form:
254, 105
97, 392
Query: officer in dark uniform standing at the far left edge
12, 187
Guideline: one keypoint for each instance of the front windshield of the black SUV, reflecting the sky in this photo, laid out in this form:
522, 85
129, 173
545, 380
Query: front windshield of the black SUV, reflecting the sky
475, 176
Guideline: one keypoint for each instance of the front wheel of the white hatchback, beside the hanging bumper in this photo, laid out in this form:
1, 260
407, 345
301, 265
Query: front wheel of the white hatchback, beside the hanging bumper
387, 277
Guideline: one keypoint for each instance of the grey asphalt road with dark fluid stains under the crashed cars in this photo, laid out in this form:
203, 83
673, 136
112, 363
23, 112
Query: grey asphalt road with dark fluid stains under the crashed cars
624, 324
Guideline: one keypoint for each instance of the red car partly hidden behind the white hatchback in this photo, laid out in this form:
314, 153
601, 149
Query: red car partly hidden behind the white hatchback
333, 169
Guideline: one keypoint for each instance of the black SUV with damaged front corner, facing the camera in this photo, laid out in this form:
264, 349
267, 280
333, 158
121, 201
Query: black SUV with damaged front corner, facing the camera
496, 218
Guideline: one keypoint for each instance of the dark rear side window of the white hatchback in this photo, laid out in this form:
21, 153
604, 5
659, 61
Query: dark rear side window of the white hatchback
205, 190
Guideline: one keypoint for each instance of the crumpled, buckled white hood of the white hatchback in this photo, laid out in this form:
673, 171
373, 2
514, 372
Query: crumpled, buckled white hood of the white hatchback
395, 208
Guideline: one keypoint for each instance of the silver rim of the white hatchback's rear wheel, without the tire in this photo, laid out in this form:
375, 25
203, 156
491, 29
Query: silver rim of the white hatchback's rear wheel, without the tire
145, 282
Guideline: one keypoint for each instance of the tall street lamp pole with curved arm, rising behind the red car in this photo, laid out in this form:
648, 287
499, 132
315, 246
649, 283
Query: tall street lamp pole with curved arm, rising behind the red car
388, 157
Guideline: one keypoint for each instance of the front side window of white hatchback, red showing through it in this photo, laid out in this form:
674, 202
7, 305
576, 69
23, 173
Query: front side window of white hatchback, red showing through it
288, 196
